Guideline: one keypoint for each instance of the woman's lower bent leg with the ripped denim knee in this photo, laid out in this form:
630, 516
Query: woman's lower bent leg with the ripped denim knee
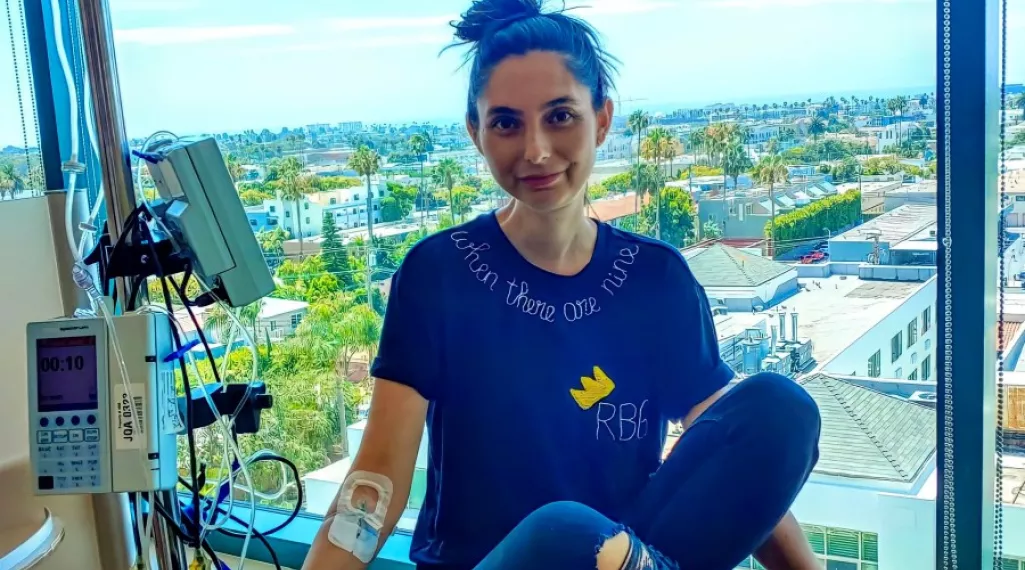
570, 537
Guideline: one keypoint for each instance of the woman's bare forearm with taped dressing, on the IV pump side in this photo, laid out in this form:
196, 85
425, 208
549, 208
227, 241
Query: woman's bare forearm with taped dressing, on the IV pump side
390, 446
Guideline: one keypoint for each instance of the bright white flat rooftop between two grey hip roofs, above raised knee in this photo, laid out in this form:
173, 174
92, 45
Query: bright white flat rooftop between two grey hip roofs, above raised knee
836, 312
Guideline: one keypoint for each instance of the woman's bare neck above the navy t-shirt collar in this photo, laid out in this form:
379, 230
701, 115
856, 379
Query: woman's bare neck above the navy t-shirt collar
561, 242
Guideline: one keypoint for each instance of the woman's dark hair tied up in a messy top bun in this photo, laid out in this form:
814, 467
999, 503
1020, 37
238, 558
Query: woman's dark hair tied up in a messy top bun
498, 29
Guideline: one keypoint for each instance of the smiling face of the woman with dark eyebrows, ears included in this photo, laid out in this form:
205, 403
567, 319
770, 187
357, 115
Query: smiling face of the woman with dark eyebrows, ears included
539, 131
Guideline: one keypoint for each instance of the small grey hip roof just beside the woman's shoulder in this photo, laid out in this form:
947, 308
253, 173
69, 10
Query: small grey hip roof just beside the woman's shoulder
722, 266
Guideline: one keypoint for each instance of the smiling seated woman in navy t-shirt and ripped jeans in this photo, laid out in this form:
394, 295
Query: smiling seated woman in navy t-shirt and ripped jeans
548, 352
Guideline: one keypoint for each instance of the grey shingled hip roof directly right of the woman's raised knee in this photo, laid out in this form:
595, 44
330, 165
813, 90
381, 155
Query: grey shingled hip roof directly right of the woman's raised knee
869, 435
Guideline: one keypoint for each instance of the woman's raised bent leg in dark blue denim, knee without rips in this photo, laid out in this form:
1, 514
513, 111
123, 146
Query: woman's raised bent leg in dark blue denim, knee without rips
732, 476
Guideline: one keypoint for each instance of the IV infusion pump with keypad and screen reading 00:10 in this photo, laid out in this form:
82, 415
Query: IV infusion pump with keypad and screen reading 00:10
89, 433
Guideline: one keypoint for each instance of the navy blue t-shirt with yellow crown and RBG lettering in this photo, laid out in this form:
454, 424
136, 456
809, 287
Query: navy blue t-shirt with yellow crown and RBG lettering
542, 388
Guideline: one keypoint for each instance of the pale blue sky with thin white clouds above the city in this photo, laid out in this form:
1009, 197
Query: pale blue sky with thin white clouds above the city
213, 66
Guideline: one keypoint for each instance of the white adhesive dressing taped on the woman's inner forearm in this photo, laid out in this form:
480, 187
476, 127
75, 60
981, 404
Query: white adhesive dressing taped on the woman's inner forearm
354, 530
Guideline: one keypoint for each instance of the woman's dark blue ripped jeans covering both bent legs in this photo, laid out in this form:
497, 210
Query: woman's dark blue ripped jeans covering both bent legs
728, 482
